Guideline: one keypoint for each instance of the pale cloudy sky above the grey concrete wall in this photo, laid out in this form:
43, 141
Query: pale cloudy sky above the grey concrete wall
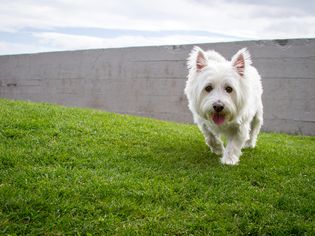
31, 26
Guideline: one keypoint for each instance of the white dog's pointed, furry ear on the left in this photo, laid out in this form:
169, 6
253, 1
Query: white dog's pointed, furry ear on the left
197, 59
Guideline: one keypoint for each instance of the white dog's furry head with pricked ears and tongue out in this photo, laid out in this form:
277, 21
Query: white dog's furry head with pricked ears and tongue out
216, 88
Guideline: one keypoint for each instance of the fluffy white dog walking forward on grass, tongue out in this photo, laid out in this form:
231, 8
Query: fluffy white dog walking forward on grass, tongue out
225, 98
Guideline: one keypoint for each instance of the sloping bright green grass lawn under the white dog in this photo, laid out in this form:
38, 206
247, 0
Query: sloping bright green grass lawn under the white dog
67, 171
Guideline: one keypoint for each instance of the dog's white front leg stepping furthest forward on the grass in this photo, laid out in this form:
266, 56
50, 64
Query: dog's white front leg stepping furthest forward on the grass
235, 143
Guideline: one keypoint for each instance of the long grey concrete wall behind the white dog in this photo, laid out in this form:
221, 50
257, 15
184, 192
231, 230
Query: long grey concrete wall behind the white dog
149, 81
